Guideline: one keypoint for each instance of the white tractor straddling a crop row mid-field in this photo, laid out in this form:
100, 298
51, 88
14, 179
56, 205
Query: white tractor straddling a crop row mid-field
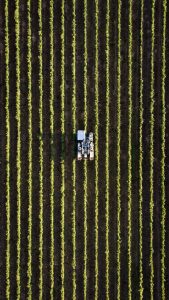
85, 145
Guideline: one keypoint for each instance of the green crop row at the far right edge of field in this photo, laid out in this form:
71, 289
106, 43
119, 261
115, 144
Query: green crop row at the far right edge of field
163, 147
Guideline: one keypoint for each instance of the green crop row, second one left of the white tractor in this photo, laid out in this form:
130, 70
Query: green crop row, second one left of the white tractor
62, 87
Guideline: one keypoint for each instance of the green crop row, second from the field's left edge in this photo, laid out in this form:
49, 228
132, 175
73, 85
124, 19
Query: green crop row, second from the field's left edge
18, 154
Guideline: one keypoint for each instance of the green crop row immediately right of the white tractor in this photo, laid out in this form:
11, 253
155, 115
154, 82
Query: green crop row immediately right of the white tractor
96, 143
